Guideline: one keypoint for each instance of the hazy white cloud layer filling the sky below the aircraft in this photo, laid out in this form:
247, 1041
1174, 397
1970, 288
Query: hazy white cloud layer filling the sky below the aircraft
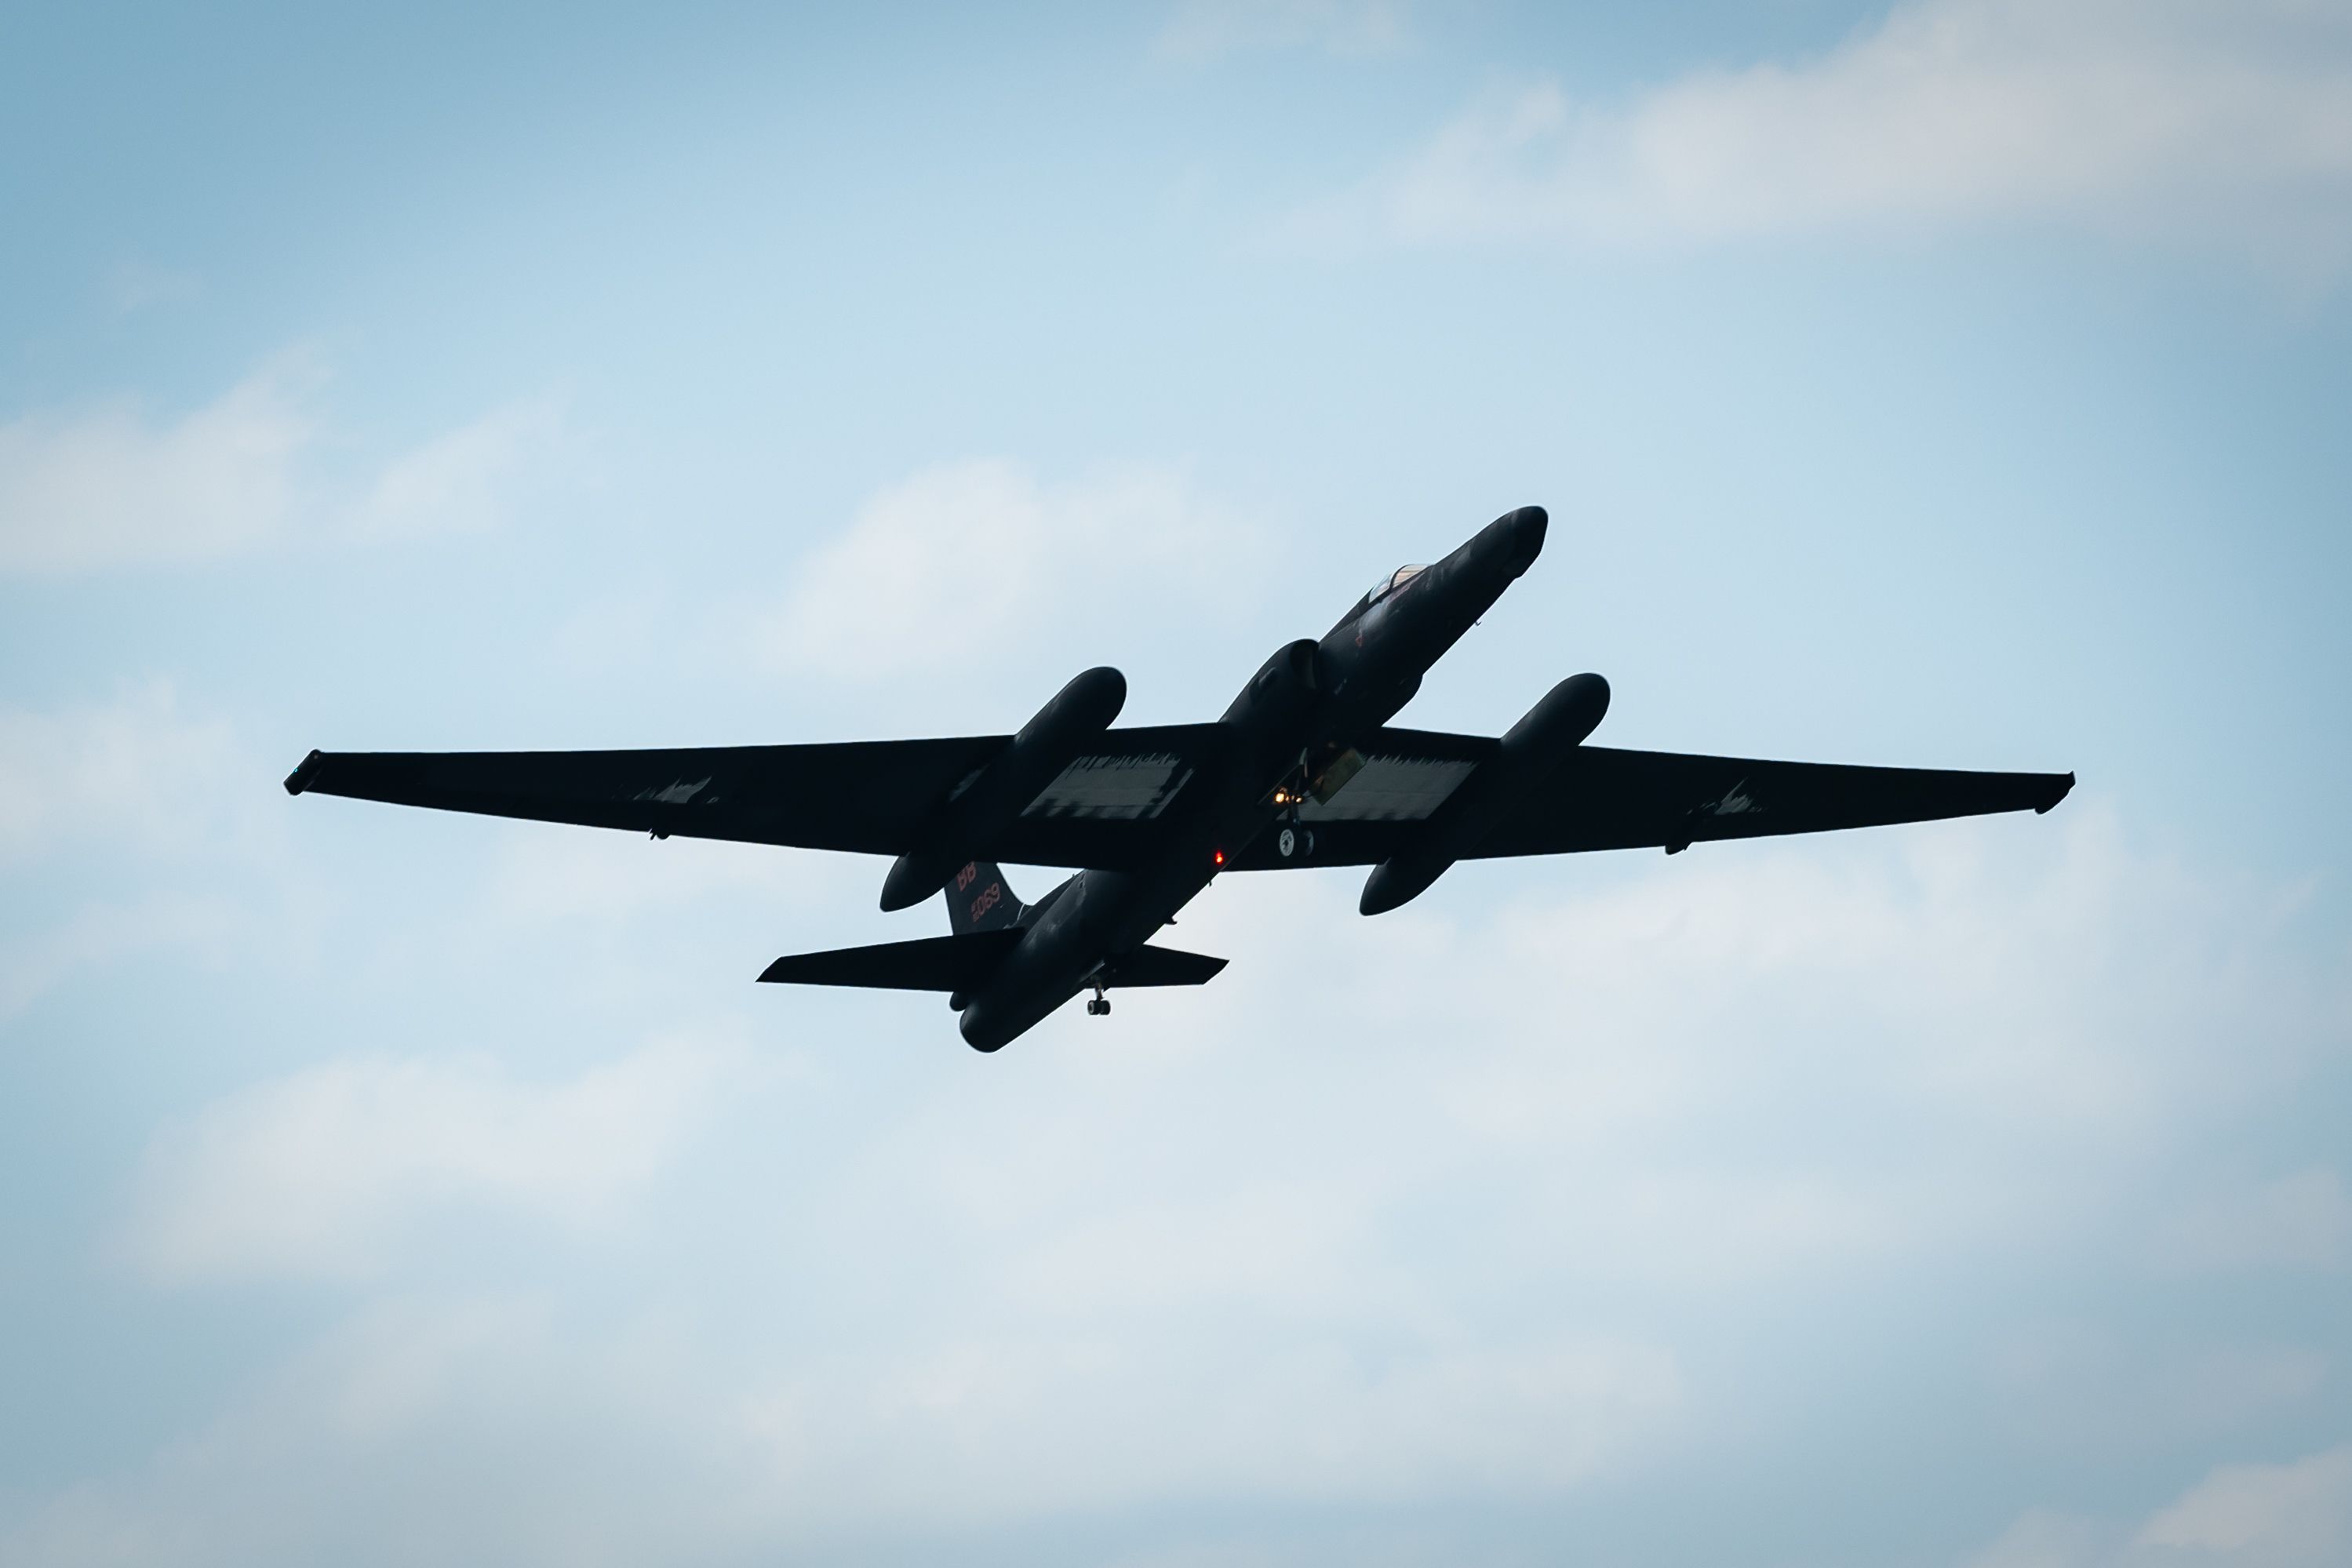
991, 1308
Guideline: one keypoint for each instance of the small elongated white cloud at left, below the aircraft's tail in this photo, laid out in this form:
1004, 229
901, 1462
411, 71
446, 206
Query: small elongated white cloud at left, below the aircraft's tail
326, 1172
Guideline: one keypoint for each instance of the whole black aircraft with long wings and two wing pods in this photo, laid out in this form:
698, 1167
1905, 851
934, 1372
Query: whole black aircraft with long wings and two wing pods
1304, 770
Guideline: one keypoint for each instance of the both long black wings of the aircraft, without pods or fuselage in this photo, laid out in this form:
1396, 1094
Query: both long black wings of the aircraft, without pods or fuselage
1104, 810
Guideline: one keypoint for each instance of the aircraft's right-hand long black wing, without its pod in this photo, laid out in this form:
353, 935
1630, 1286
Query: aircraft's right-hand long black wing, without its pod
1638, 800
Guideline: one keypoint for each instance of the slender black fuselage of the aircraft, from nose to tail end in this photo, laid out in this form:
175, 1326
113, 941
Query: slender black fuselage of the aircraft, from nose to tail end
1288, 732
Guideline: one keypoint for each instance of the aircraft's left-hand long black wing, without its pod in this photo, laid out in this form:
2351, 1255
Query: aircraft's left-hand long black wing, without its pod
857, 796
